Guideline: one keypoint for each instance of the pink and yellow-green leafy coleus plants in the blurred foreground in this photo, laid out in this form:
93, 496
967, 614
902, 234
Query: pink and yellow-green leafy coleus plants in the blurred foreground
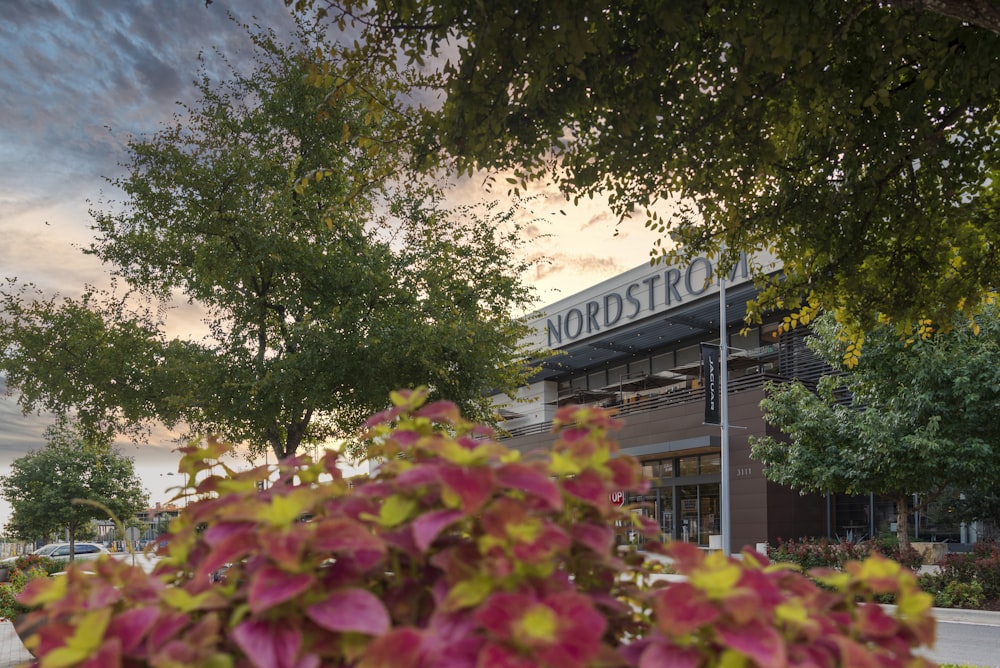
458, 553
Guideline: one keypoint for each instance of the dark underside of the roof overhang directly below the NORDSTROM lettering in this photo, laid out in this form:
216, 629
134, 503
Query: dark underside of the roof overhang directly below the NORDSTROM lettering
696, 321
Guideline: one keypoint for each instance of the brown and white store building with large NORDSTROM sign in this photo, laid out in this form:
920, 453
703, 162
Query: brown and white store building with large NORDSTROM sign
633, 342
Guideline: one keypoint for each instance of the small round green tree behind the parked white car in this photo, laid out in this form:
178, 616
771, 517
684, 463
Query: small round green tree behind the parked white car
44, 487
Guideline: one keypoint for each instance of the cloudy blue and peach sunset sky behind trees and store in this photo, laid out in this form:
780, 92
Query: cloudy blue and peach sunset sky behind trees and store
79, 77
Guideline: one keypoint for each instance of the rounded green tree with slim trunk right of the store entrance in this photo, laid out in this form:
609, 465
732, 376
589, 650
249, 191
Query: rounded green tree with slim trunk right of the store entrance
913, 416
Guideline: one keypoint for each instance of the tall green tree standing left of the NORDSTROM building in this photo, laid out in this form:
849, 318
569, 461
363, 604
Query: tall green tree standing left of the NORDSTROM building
328, 278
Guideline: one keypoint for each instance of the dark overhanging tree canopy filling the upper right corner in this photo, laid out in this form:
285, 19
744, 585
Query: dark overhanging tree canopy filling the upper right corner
856, 139
